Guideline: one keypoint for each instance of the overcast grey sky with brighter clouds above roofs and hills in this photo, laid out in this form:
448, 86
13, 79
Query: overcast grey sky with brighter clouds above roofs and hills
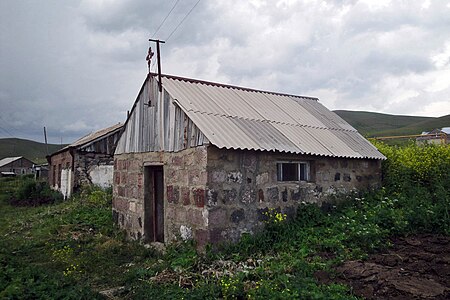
76, 66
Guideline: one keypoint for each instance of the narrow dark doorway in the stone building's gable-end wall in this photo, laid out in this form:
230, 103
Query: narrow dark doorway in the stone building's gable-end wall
154, 204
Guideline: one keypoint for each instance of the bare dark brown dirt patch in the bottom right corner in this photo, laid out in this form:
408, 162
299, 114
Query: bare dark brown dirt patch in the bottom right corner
414, 268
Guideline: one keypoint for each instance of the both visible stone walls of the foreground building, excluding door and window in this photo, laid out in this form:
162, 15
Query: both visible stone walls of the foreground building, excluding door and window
215, 195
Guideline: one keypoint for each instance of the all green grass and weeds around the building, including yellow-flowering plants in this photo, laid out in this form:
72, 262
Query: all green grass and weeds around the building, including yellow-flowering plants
72, 250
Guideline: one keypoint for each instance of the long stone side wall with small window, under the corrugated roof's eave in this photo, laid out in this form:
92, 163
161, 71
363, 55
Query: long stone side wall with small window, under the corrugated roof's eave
242, 186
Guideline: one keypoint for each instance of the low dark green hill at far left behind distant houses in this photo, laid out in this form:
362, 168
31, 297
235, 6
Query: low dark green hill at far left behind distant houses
30, 149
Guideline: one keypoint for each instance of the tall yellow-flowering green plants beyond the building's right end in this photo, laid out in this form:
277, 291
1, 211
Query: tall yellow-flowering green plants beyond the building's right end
419, 178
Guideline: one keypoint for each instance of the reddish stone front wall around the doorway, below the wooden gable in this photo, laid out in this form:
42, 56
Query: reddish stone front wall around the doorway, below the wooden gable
185, 180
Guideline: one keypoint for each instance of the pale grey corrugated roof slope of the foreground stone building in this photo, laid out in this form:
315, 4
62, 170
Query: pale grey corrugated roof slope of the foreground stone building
240, 118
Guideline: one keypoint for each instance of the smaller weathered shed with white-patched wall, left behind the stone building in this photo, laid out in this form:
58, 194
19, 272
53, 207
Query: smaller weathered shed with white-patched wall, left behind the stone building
87, 161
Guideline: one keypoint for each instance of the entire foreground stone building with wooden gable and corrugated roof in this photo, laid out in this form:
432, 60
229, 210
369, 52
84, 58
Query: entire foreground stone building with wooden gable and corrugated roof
206, 161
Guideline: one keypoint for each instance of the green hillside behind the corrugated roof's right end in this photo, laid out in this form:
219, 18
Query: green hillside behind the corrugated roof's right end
375, 124
